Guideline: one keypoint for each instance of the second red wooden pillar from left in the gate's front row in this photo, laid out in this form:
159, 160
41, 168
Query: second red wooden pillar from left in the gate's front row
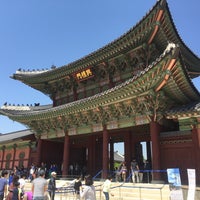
66, 155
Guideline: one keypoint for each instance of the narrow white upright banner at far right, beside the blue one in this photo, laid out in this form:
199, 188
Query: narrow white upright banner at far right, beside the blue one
192, 184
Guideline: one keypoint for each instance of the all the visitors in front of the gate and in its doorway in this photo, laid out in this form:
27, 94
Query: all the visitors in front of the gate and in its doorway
12, 183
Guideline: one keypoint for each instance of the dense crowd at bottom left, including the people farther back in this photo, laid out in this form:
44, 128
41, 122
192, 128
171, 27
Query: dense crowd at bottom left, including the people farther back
12, 182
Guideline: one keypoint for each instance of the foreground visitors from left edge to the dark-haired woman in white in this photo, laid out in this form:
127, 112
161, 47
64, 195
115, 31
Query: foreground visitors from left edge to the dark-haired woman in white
42, 188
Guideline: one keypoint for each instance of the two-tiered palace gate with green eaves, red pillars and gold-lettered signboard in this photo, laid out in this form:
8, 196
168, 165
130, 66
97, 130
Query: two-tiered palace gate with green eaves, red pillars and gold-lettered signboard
135, 89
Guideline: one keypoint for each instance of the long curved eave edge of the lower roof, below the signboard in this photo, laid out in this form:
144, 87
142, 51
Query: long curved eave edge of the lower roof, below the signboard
118, 93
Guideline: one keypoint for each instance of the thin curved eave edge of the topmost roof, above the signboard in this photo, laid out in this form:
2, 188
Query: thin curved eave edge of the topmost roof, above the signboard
99, 55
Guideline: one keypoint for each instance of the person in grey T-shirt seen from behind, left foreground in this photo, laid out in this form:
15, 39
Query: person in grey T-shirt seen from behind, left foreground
39, 186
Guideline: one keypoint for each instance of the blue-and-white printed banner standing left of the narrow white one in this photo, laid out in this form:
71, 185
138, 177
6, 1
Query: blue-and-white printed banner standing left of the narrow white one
174, 180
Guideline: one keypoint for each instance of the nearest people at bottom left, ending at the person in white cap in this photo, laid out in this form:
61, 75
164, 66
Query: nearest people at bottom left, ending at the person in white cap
12, 186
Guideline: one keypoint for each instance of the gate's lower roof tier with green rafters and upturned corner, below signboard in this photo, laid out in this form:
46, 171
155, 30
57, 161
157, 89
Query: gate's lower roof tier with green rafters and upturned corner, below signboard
165, 77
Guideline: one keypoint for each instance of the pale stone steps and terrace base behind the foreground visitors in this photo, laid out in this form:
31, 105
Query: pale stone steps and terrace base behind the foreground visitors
121, 191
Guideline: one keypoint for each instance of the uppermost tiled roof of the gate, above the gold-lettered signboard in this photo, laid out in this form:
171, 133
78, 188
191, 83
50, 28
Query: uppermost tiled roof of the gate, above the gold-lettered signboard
112, 49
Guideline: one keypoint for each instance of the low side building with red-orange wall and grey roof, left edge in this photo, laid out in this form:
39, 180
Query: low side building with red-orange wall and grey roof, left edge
16, 149
